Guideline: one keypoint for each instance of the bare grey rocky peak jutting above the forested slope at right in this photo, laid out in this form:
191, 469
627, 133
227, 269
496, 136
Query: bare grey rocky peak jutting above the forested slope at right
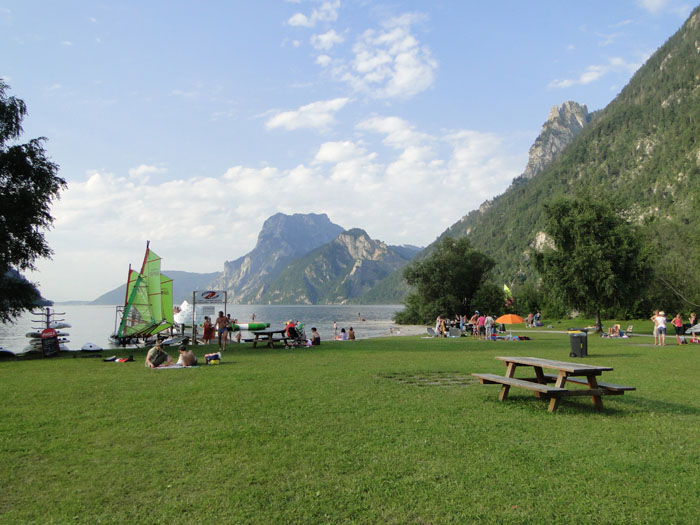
562, 125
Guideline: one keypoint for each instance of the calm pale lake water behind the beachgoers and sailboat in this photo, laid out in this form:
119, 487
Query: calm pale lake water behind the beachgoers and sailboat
94, 324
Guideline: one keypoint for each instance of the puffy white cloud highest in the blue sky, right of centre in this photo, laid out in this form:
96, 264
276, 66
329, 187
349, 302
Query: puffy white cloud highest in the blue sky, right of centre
390, 62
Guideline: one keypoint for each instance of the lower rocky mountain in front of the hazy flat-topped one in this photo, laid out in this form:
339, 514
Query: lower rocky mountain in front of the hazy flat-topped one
337, 272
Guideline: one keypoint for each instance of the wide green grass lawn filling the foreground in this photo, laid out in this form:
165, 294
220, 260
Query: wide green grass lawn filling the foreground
377, 431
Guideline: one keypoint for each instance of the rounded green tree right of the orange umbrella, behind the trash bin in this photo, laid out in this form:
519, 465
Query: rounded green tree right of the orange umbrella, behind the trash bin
597, 259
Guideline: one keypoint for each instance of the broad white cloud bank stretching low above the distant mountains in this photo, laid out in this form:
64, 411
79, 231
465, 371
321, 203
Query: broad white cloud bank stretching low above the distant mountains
423, 184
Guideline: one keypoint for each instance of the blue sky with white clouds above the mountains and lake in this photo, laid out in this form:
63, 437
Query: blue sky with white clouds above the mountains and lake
189, 123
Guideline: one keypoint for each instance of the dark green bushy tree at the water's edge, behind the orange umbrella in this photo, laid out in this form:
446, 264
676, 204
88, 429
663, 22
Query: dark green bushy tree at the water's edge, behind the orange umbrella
444, 282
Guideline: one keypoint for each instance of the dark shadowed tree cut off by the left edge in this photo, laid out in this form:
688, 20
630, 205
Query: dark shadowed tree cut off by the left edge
28, 184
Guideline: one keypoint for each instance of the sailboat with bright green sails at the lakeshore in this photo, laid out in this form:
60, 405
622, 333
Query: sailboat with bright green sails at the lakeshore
148, 303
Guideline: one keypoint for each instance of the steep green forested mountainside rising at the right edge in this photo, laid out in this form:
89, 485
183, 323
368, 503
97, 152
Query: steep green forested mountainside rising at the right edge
642, 151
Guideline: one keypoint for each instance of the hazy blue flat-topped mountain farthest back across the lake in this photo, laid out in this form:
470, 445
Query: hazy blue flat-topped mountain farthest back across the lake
282, 239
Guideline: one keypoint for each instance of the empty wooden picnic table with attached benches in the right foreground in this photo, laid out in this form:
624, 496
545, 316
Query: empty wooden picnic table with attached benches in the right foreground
577, 373
